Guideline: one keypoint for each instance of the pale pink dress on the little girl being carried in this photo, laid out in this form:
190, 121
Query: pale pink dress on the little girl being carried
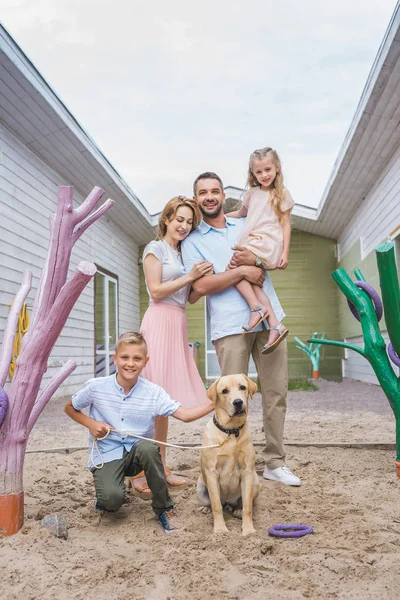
262, 233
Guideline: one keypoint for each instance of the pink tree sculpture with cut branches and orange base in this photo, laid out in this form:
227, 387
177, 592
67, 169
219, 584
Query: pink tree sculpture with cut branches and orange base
54, 301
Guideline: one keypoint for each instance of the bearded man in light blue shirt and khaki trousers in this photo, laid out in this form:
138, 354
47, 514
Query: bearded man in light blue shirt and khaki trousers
213, 241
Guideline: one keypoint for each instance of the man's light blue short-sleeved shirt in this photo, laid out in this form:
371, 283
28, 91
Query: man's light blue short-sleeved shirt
228, 309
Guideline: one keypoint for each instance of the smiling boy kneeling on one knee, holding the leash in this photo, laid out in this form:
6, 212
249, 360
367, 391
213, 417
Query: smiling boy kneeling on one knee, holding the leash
127, 403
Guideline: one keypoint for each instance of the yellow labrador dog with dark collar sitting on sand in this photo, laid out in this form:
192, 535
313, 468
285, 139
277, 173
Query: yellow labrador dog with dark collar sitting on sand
228, 479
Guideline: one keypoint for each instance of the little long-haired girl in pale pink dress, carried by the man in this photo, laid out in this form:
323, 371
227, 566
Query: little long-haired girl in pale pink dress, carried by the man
266, 233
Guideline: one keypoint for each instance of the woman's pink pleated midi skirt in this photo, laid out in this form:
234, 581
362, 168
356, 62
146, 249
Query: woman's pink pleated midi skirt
171, 364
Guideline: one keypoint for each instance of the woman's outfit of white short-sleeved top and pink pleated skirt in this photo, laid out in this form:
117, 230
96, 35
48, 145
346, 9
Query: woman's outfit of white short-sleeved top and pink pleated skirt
164, 327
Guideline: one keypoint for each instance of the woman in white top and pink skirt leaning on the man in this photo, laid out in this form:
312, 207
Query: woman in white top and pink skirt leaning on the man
164, 325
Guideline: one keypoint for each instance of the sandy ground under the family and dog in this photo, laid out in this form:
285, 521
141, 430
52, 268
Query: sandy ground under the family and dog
351, 497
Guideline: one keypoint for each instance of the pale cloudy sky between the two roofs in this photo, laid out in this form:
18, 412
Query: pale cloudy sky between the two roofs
170, 89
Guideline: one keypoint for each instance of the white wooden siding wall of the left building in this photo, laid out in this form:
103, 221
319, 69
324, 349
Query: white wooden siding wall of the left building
28, 189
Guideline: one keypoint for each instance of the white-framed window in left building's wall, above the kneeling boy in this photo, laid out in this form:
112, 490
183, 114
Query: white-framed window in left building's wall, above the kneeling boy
106, 322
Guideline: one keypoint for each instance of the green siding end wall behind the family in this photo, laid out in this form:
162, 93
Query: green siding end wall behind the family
309, 297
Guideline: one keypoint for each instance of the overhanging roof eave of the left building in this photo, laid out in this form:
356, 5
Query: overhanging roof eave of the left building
33, 112
